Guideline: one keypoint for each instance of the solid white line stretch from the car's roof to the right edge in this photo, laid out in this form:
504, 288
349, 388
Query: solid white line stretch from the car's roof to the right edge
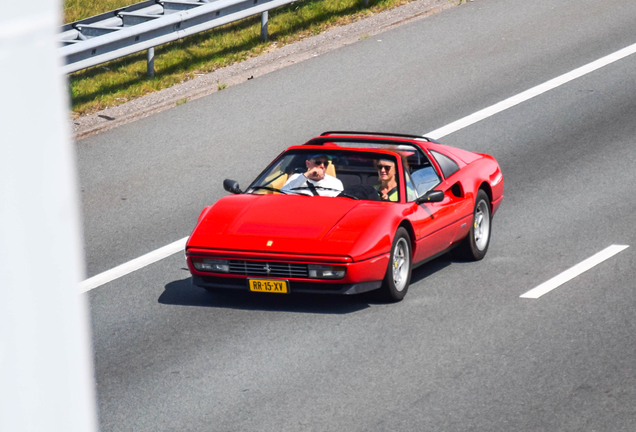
529, 94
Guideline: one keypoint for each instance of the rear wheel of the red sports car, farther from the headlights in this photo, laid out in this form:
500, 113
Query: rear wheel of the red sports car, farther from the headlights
475, 245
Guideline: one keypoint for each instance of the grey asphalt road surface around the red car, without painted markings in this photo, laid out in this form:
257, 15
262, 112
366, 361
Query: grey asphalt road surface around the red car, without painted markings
462, 352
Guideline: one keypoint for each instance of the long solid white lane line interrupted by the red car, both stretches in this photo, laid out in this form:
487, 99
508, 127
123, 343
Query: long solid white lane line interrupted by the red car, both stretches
166, 251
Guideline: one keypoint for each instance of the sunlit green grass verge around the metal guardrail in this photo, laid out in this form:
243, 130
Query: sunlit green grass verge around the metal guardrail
125, 79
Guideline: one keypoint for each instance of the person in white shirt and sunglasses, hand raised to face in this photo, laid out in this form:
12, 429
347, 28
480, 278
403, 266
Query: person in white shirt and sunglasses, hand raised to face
314, 181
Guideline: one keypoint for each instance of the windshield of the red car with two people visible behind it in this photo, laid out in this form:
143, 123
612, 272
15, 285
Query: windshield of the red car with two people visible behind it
350, 174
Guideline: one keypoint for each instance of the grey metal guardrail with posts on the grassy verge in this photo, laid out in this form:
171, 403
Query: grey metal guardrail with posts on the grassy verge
148, 24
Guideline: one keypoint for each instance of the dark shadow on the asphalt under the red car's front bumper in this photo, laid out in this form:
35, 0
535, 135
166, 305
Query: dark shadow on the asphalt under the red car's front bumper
183, 293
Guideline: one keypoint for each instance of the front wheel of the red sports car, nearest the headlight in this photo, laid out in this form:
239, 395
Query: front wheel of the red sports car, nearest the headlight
398, 273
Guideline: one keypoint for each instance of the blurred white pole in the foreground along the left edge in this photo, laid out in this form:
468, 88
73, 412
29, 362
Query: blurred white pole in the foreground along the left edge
46, 370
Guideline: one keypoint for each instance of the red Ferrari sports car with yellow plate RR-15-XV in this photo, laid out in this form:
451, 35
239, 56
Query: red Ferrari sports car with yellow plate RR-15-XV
345, 213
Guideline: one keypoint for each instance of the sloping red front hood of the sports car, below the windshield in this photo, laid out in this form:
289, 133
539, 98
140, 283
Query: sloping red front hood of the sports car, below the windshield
289, 224
